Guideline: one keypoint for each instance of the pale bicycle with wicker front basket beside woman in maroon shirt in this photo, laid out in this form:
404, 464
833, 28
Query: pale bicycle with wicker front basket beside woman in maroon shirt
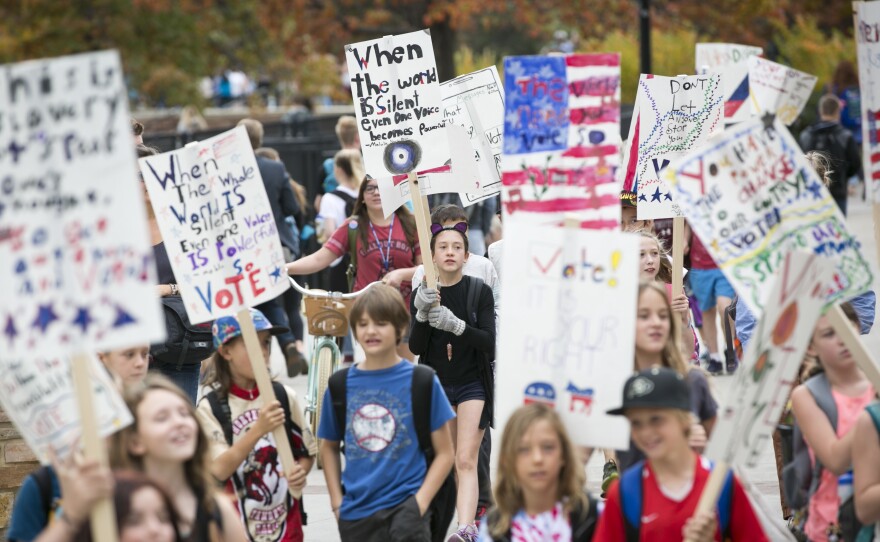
327, 317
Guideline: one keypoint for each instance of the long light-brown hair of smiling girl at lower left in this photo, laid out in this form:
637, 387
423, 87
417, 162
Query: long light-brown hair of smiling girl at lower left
196, 469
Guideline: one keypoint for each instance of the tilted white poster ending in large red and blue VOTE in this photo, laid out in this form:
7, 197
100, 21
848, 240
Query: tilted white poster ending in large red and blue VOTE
217, 225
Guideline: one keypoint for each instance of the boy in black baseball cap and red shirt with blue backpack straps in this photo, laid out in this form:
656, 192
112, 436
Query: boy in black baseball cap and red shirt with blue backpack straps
657, 499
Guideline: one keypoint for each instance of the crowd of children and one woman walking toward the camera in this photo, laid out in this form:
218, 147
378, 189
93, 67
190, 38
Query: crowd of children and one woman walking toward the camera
405, 446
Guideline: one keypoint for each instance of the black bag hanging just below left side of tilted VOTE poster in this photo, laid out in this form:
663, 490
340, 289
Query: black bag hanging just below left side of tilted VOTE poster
185, 343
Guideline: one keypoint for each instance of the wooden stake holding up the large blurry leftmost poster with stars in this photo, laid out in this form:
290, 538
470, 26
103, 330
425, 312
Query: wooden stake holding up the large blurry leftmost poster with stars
103, 515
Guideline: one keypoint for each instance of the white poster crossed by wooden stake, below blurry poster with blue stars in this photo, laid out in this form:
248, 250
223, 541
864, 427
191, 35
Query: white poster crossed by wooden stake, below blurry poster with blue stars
38, 396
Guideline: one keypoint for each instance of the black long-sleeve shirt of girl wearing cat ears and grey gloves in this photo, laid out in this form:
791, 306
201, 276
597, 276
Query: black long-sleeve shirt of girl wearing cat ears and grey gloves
468, 350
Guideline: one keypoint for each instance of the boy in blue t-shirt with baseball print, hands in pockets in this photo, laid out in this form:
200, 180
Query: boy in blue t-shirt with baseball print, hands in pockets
388, 485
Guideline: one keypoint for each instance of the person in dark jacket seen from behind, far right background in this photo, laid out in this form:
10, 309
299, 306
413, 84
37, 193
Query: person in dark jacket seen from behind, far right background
837, 143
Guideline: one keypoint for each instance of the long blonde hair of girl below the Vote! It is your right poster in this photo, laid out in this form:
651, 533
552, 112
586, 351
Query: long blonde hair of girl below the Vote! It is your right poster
508, 491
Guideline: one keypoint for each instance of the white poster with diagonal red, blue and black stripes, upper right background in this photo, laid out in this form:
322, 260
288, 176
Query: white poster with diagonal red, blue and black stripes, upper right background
731, 61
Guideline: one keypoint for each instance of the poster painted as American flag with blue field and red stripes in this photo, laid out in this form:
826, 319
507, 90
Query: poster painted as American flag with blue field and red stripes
561, 139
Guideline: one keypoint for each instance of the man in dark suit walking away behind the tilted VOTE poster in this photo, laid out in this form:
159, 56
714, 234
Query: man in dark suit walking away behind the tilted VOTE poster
284, 204
